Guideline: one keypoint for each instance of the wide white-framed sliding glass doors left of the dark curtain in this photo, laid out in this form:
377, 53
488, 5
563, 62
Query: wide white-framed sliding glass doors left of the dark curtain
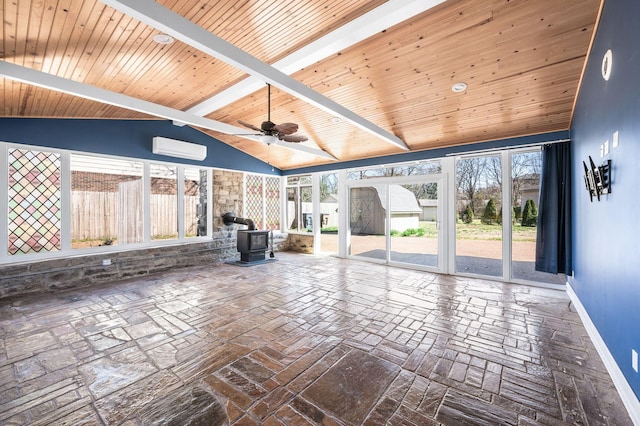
469, 215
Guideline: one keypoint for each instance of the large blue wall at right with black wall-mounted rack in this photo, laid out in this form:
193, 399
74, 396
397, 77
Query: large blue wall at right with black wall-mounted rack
606, 234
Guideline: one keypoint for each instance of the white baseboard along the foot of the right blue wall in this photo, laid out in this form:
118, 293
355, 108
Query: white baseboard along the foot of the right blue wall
627, 395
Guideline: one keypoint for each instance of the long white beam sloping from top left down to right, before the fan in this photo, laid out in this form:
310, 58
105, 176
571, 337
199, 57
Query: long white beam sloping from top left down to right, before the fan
165, 20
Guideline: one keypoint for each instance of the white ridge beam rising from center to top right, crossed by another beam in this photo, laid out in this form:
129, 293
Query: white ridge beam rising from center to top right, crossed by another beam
371, 23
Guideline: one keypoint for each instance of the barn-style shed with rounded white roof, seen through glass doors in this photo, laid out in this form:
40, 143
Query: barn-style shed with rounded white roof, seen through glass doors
368, 210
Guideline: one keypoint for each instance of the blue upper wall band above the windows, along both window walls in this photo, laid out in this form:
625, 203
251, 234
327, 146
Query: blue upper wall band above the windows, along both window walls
133, 138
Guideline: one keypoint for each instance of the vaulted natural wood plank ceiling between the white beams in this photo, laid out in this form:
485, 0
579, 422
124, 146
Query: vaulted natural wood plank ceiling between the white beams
521, 59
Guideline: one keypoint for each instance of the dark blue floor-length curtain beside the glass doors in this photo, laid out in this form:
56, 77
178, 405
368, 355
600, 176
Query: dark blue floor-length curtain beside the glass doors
553, 244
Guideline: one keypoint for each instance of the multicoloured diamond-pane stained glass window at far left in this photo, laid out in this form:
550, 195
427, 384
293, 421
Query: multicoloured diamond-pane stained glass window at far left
34, 201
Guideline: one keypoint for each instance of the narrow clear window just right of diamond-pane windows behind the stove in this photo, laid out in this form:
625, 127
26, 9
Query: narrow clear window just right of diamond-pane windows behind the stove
299, 204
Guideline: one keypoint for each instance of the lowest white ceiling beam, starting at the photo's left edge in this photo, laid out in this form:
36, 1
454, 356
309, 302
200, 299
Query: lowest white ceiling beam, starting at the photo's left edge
86, 91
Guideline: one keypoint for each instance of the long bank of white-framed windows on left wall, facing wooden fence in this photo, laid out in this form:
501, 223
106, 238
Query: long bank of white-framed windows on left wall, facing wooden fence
58, 202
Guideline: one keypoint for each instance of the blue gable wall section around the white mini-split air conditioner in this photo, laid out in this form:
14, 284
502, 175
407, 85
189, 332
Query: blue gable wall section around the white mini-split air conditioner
128, 138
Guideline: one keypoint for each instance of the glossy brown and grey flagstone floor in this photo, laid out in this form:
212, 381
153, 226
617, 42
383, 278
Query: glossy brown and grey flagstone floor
298, 341
